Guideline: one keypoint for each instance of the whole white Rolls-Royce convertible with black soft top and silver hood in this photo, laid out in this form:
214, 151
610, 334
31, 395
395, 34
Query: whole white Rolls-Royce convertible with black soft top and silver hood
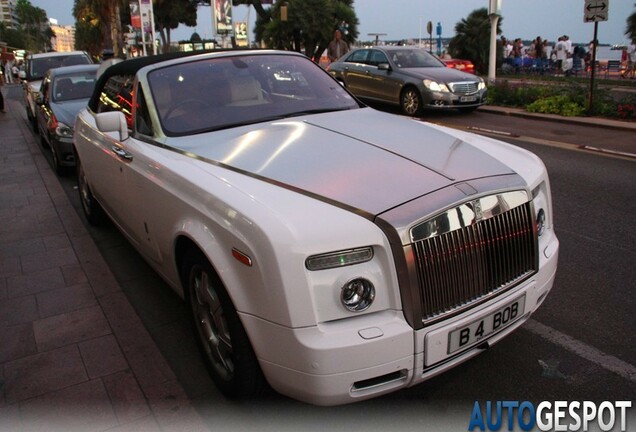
333, 251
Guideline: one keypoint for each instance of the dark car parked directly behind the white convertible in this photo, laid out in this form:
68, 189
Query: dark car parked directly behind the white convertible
64, 92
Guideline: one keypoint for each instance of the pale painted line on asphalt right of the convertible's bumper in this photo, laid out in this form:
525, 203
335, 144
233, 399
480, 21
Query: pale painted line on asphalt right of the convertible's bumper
583, 350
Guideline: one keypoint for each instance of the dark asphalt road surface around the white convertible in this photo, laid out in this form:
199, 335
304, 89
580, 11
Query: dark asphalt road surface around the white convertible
580, 345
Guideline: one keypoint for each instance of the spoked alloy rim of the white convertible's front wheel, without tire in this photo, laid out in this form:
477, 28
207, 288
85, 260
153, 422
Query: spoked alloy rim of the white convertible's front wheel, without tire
211, 324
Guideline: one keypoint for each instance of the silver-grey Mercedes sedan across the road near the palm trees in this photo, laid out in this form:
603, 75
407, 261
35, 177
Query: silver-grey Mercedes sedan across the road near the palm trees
409, 77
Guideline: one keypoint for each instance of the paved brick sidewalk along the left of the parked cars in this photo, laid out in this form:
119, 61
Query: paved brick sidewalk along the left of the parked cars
74, 355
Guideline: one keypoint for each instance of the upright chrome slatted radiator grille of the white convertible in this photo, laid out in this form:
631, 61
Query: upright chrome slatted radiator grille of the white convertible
457, 268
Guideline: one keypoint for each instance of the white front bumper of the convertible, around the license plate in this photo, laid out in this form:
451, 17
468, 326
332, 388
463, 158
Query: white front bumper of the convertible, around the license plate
363, 357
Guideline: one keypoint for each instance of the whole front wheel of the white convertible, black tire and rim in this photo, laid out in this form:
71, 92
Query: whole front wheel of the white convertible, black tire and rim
221, 338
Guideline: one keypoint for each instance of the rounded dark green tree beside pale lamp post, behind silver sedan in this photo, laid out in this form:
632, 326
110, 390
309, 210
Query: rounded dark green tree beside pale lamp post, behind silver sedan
472, 39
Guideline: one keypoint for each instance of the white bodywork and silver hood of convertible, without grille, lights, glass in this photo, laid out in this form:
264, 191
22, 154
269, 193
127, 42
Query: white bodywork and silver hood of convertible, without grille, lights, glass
258, 189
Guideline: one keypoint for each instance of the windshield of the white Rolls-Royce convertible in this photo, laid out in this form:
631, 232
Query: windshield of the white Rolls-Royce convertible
218, 93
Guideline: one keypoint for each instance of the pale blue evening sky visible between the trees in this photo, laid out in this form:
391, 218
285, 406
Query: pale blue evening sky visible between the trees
401, 19
